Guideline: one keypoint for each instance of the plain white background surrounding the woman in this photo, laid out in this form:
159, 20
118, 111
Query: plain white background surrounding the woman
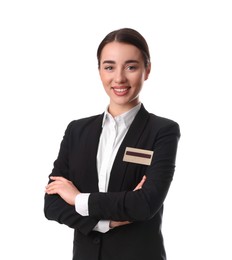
48, 77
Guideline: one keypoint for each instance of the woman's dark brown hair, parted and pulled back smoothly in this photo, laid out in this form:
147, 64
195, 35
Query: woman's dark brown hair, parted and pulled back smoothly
126, 35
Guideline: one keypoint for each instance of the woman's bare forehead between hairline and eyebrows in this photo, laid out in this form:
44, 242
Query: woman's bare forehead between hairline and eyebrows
117, 51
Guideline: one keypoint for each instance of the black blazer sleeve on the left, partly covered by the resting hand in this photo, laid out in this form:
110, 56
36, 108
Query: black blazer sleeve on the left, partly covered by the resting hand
55, 208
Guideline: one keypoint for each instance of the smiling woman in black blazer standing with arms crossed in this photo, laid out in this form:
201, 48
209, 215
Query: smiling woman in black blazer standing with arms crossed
114, 170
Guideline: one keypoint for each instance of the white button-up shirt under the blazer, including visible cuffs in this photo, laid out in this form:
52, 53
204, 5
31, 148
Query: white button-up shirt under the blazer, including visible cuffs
113, 133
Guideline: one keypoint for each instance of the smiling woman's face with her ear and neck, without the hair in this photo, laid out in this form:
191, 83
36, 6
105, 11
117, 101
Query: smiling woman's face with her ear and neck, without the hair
122, 71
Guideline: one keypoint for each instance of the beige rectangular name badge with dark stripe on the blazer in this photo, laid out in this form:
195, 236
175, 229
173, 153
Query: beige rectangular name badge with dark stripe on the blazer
139, 156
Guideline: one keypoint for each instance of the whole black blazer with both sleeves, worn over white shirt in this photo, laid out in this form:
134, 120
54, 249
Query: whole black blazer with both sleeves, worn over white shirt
142, 239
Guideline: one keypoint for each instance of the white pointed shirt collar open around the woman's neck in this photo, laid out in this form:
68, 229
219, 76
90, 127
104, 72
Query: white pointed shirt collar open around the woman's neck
126, 118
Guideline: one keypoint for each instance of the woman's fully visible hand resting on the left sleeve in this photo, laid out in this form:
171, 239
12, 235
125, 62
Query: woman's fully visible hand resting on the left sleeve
63, 187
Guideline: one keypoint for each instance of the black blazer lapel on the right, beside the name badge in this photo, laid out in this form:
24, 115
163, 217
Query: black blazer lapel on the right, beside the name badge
131, 140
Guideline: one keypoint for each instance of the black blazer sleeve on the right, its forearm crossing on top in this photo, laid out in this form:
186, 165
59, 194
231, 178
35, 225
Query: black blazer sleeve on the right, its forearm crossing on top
142, 204
